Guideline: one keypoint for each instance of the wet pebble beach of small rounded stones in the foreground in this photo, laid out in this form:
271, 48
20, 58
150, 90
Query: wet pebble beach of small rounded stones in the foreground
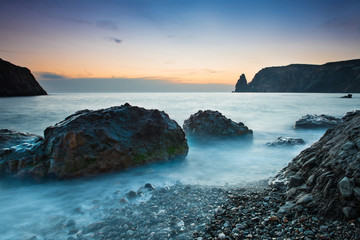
205, 212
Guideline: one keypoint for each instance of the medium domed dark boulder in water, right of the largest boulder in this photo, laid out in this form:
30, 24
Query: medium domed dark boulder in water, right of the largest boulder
213, 124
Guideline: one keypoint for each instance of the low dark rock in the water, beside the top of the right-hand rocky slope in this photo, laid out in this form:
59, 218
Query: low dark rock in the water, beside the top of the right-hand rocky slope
317, 121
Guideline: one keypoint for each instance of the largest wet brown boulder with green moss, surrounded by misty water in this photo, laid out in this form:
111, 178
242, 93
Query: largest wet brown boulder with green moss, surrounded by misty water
93, 142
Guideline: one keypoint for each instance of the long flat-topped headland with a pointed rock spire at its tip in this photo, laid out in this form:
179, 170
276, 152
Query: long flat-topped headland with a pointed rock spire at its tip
333, 77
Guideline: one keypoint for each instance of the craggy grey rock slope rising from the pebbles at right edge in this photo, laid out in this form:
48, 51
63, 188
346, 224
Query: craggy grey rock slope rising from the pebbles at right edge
326, 176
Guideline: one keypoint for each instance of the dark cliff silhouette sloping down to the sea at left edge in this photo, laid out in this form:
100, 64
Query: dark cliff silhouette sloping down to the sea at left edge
17, 81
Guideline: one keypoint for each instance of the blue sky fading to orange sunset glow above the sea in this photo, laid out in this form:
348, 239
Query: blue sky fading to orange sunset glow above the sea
189, 42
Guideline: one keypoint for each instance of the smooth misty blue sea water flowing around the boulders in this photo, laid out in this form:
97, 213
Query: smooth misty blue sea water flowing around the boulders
29, 209
